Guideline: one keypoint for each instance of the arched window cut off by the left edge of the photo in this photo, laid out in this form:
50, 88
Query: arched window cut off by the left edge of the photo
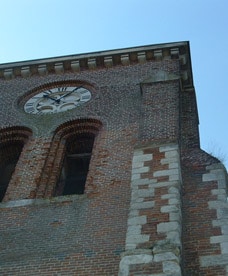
12, 141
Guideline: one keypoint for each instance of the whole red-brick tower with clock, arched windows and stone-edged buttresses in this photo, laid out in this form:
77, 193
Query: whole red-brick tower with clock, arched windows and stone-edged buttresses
101, 171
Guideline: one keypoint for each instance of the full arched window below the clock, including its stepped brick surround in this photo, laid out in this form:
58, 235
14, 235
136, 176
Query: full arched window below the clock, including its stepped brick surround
67, 165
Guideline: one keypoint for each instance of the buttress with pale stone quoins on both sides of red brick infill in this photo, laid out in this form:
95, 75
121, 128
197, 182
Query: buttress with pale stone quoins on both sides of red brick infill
154, 224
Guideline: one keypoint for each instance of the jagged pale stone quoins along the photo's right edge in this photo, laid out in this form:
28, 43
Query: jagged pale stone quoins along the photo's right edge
217, 172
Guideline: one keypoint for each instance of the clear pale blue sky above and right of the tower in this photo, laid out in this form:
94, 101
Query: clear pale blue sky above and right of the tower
33, 29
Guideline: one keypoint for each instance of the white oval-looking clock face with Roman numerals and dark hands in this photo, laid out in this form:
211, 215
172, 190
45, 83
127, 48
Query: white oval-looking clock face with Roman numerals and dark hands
57, 99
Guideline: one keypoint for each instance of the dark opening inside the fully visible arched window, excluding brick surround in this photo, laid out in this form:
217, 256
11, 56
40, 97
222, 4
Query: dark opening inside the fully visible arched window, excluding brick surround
76, 165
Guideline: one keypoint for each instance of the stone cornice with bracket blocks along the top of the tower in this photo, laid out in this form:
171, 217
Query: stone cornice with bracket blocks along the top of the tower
103, 59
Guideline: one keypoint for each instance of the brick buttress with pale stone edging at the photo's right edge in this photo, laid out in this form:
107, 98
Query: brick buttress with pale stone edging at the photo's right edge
202, 228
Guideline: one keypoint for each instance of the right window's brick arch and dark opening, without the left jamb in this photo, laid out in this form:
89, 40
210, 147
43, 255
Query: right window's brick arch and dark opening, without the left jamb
78, 137
